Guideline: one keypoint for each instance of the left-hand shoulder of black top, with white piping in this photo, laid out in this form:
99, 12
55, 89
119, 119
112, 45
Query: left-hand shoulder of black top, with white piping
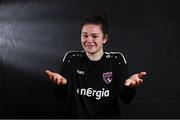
70, 55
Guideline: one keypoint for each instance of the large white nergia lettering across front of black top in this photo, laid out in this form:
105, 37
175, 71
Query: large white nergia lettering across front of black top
90, 92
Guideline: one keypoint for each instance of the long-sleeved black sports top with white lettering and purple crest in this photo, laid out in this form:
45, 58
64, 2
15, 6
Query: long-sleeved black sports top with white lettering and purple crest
94, 88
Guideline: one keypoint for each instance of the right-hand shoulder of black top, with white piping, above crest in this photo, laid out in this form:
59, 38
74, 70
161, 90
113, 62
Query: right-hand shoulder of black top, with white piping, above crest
117, 56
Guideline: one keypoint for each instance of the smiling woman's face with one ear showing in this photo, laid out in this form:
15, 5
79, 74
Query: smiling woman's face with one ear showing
92, 38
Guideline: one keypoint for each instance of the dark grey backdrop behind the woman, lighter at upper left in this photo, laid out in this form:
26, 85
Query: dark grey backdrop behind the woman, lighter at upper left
35, 35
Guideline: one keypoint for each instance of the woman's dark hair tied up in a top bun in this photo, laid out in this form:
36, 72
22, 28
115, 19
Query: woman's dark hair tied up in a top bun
99, 18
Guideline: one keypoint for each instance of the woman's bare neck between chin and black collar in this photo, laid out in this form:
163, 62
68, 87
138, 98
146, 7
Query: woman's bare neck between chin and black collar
95, 56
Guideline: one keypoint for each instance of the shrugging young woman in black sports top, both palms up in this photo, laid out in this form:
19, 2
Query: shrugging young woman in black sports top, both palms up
93, 82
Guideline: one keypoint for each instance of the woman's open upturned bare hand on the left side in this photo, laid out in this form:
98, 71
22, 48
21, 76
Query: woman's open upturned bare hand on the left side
55, 77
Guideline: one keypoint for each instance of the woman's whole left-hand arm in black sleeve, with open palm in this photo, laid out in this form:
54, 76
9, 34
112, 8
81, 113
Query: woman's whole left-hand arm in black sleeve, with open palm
62, 79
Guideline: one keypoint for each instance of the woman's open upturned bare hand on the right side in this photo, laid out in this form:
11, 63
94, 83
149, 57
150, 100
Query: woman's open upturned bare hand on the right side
135, 80
